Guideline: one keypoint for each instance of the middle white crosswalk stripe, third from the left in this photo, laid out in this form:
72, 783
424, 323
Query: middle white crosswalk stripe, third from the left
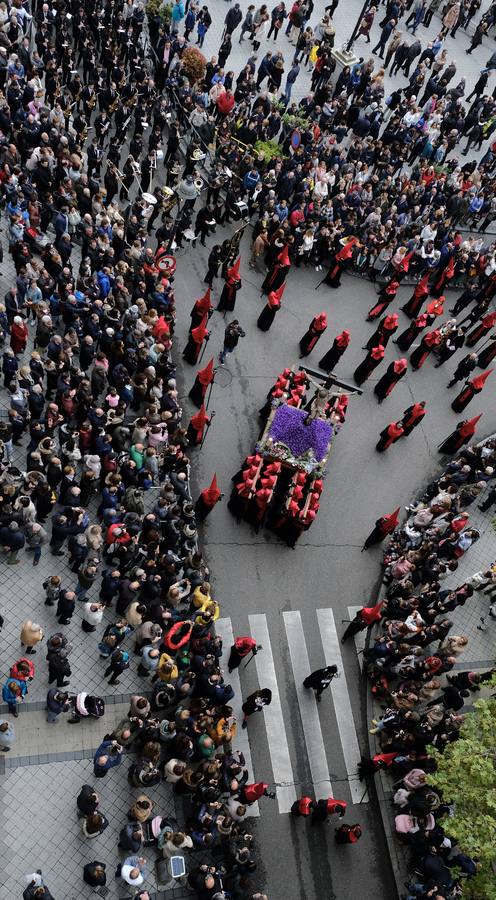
308, 706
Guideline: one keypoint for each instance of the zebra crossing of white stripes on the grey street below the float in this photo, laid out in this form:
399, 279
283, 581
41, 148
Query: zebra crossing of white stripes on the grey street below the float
277, 717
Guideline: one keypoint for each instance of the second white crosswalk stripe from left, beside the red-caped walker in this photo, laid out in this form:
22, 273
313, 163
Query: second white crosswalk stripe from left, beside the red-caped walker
274, 720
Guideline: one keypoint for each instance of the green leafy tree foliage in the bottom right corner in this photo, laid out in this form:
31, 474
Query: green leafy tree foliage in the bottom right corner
466, 776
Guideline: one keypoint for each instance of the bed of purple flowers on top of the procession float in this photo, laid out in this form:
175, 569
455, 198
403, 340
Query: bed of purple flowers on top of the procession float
288, 428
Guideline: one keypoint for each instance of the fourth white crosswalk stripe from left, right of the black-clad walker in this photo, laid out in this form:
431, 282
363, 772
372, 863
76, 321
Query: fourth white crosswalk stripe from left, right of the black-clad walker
342, 703
